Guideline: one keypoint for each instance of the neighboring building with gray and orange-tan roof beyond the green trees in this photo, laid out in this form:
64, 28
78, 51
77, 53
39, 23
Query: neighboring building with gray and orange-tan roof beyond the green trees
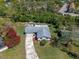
68, 9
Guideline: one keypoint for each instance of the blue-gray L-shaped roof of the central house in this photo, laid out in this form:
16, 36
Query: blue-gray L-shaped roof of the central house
41, 31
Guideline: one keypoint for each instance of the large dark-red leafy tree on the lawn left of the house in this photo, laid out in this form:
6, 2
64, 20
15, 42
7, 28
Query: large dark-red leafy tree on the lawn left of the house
11, 38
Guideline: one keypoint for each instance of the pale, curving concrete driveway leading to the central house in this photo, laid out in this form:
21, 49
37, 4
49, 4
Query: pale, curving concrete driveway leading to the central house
29, 46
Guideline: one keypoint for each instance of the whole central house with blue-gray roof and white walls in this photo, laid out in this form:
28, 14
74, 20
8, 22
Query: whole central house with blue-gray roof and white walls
40, 31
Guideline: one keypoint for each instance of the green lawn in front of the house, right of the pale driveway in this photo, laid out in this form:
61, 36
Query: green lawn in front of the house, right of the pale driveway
50, 52
